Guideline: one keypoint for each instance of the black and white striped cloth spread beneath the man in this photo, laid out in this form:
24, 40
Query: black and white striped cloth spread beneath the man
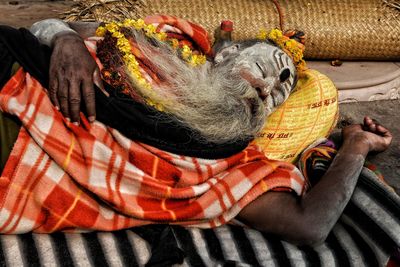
366, 235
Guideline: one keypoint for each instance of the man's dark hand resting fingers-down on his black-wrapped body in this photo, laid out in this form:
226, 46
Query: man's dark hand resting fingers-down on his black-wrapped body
73, 73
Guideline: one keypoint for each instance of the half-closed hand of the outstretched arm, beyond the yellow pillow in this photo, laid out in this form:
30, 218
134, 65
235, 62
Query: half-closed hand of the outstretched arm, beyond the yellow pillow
374, 136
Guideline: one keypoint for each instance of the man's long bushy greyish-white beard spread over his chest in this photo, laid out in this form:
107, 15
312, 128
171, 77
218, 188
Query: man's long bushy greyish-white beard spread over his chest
213, 100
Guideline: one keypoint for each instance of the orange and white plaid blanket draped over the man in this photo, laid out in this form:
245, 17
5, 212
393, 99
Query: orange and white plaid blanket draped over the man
90, 177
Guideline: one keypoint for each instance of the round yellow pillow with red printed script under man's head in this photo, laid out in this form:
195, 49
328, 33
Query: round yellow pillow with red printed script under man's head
310, 112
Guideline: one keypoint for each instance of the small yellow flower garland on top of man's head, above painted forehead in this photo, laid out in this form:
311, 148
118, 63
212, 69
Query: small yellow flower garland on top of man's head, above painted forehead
293, 48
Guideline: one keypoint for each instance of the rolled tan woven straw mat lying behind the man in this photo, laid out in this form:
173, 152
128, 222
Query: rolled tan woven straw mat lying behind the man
335, 29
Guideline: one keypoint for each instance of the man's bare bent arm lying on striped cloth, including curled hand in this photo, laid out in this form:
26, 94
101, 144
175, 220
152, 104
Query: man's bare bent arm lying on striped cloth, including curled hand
308, 221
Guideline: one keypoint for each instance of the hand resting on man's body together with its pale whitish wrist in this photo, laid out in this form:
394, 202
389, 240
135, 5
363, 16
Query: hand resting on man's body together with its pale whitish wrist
73, 71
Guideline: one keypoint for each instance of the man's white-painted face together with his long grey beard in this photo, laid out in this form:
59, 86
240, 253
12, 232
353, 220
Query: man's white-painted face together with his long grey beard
229, 99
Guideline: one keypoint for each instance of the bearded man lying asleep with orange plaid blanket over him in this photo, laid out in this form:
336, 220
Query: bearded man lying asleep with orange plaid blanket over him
168, 135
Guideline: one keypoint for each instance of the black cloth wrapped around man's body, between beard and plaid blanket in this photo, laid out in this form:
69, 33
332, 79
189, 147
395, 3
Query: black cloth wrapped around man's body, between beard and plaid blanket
134, 120
